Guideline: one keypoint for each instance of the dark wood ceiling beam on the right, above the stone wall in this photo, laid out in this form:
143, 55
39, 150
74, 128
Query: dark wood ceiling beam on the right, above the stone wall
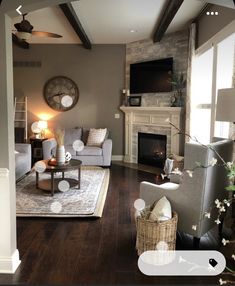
166, 18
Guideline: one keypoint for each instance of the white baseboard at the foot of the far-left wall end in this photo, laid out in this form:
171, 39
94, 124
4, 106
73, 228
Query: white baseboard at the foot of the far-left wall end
9, 264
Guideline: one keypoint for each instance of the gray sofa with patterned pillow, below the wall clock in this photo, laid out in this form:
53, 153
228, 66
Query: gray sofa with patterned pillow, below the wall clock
98, 156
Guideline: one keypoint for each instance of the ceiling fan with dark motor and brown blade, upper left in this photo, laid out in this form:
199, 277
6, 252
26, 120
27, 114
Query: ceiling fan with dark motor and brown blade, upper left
24, 31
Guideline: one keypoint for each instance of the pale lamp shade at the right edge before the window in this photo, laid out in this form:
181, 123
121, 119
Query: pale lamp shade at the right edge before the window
225, 110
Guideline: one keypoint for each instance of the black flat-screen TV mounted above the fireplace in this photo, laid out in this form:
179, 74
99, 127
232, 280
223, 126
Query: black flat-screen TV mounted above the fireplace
152, 76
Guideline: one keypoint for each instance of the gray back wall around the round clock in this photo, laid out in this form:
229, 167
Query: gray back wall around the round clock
99, 74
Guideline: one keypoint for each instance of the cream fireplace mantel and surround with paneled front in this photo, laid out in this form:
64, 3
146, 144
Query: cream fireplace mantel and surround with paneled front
151, 119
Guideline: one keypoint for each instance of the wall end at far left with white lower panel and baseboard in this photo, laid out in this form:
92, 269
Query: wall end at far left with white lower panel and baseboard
9, 255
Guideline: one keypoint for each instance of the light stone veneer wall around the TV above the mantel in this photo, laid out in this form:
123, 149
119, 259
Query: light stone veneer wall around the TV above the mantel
172, 45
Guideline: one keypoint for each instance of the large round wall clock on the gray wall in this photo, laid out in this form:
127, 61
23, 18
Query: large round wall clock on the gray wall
61, 93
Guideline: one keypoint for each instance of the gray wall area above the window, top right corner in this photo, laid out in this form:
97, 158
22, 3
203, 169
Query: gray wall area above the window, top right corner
208, 26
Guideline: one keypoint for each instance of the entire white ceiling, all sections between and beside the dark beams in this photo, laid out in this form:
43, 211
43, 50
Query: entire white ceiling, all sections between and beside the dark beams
110, 21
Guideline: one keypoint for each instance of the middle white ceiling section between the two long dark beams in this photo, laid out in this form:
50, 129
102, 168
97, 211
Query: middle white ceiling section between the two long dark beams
110, 21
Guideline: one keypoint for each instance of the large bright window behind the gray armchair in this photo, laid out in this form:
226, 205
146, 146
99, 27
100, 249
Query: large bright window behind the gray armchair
212, 69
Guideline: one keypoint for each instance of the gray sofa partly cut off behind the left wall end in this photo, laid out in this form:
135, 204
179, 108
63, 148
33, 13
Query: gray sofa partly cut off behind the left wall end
22, 160
